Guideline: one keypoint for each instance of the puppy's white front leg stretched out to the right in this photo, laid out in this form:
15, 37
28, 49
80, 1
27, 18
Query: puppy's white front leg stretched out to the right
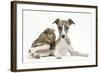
76, 53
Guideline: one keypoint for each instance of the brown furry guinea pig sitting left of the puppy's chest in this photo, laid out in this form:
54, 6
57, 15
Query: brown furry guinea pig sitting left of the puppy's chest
47, 36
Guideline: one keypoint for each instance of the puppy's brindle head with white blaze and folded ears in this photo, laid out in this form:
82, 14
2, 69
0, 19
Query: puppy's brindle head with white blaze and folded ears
63, 26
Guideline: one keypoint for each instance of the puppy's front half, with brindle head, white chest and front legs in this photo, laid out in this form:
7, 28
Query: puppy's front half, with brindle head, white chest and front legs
63, 44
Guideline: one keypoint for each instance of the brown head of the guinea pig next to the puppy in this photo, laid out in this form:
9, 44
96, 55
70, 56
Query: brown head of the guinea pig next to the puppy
49, 32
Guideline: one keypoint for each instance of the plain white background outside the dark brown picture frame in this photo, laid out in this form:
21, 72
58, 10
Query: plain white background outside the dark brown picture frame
5, 37
